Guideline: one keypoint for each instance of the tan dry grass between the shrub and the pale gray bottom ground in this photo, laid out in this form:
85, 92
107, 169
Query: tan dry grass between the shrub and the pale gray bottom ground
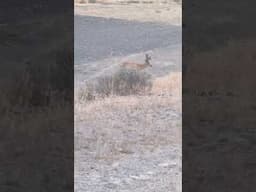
153, 120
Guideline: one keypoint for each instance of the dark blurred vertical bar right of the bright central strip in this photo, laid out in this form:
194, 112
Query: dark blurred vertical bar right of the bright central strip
219, 96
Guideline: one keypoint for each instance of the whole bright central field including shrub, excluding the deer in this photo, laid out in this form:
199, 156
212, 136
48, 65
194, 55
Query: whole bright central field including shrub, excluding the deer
127, 122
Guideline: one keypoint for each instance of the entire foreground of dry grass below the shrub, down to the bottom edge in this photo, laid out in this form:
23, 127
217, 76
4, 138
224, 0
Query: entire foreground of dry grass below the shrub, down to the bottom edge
118, 132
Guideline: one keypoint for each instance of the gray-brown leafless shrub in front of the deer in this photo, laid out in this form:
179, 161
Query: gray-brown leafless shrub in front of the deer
122, 83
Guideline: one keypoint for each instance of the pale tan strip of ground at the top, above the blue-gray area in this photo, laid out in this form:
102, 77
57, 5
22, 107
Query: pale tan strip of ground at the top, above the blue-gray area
156, 13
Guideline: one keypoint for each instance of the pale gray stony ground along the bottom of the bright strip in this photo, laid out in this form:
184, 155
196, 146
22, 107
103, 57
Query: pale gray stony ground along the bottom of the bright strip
158, 171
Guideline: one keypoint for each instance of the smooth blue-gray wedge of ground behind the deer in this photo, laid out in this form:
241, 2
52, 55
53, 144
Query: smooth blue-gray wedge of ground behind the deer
98, 38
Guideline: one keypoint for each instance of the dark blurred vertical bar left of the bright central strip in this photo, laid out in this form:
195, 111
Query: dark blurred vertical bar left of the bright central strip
36, 108
